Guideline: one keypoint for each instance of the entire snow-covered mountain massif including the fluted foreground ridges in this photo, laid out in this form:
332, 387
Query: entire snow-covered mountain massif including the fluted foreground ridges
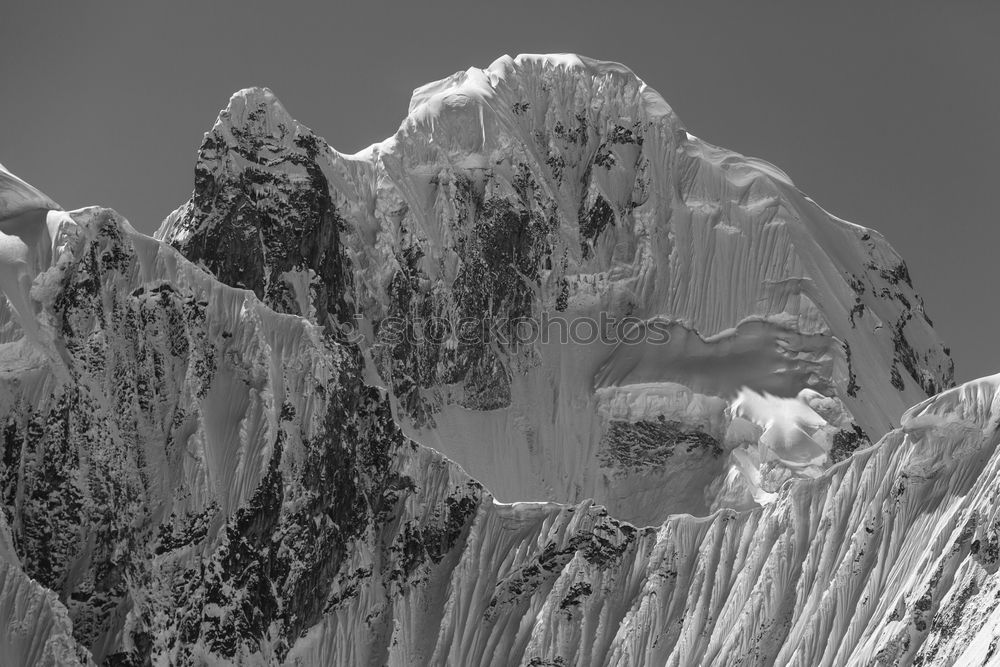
202, 464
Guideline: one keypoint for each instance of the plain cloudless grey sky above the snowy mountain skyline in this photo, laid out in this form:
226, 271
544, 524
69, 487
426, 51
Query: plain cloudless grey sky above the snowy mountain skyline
886, 113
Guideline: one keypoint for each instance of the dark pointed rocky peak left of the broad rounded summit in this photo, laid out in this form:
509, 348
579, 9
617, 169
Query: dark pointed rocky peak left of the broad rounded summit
272, 216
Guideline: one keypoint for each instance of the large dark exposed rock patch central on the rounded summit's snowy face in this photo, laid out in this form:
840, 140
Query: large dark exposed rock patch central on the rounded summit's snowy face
501, 244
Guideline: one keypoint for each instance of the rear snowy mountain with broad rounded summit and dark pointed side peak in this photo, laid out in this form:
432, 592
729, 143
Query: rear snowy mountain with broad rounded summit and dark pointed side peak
564, 188
